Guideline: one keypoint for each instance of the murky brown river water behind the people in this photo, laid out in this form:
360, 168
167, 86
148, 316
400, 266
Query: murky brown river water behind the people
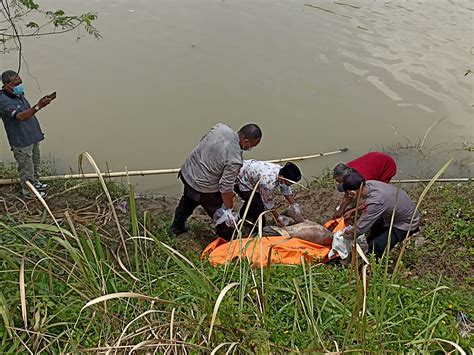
315, 75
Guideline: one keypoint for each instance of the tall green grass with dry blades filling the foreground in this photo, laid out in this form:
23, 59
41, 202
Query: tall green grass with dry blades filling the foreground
78, 296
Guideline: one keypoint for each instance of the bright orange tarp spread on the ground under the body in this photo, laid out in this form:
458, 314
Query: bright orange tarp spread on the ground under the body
280, 250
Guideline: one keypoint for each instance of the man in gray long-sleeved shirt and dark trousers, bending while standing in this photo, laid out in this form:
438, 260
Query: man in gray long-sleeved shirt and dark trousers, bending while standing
209, 174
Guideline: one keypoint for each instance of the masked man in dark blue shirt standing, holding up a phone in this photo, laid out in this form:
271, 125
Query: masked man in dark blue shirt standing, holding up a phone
23, 129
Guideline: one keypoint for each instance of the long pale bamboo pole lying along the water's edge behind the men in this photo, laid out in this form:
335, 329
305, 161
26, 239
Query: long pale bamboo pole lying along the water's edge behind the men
155, 172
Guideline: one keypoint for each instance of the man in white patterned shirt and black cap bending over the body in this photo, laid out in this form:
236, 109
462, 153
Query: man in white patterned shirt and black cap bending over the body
269, 177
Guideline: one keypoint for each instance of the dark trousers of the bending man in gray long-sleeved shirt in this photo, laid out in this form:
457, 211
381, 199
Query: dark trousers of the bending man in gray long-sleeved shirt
192, 199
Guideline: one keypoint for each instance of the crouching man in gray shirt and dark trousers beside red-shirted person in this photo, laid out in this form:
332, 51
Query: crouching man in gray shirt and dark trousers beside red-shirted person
380, 201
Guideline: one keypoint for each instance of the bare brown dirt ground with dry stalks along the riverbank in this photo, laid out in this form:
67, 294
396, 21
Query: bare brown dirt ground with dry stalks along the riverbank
86, 203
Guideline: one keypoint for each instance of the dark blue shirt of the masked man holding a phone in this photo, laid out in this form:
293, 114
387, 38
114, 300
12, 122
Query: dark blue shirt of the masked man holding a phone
20, 133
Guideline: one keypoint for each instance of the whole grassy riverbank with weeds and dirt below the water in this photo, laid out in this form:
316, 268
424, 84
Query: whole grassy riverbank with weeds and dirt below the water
78, 275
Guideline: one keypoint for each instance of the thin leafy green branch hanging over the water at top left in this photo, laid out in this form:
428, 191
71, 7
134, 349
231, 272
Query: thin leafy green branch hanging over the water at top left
25, 18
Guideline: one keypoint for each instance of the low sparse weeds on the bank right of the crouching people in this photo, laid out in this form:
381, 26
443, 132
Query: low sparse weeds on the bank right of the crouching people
446, 246
